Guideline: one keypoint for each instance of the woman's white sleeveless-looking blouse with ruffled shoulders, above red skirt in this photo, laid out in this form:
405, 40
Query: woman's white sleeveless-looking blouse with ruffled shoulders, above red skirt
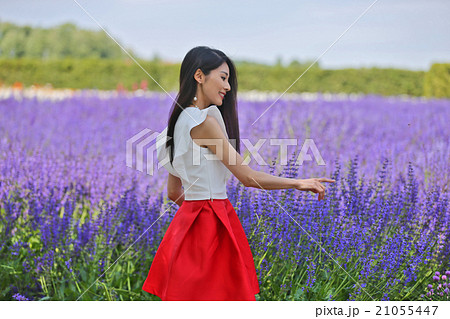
202, 173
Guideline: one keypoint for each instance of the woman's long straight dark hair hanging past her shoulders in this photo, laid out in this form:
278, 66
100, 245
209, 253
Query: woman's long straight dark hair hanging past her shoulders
205, 59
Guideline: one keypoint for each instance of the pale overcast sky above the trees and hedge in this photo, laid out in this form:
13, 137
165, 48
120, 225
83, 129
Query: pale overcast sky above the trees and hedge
409, 34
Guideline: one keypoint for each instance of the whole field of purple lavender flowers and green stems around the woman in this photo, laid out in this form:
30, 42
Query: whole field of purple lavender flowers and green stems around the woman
70, 207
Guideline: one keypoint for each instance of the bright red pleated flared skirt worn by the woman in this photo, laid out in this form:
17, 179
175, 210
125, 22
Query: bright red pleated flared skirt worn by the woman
204, 255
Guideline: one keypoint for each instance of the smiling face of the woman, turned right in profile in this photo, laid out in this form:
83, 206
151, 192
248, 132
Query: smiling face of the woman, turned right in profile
216, 85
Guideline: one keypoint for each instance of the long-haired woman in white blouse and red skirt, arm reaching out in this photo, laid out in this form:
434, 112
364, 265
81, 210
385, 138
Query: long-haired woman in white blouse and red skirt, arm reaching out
204, 254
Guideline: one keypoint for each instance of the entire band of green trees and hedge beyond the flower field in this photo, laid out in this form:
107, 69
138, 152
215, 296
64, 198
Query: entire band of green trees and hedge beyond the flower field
68, 57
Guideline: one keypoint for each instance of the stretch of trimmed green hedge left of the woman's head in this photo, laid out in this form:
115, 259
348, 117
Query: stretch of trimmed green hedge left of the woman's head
104, 74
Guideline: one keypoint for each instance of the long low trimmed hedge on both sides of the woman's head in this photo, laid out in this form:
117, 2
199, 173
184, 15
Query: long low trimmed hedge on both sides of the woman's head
106, 74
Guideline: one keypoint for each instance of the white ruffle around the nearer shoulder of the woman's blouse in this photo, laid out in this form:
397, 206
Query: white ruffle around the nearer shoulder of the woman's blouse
189, 118
